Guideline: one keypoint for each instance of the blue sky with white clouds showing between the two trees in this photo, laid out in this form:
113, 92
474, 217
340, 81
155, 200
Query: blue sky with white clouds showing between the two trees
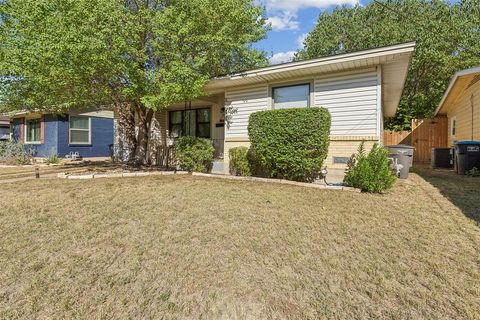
291, 21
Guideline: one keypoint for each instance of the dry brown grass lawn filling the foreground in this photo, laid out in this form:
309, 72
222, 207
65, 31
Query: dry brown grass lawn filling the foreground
182, 247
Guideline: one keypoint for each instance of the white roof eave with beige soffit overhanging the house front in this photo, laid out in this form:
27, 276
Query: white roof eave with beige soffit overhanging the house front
395, 61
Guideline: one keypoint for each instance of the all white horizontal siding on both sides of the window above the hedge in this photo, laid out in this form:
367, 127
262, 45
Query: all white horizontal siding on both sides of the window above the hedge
353, 100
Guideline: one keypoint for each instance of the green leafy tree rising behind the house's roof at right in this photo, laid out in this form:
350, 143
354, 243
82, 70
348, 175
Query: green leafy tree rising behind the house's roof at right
447, 35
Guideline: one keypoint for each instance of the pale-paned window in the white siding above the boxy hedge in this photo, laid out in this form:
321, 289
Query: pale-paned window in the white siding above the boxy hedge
297, 96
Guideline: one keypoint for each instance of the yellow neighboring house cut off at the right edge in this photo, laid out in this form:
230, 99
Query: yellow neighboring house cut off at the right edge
461, 104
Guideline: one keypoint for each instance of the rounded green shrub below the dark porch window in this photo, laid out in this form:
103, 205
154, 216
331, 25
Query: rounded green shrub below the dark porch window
194, 154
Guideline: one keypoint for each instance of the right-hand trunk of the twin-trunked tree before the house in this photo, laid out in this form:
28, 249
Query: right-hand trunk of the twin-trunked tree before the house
144, 120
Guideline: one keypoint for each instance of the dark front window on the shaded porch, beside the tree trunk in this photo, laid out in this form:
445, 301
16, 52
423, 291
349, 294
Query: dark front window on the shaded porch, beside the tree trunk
194, 123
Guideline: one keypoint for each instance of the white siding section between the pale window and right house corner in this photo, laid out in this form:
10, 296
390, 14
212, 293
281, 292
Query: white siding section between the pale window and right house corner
352, 101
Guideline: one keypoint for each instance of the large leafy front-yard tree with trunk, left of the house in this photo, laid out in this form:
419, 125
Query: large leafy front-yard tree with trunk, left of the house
136, 55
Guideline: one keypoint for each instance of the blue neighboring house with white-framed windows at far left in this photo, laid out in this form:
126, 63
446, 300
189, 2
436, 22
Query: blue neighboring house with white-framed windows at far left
90, 134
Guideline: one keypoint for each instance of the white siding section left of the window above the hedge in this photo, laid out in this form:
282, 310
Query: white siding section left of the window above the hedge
239, 104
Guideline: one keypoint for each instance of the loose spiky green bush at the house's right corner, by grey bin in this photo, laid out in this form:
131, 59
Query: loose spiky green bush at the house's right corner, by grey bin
370, 173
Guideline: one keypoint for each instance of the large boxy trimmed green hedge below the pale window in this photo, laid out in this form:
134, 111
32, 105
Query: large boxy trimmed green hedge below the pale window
290, 143
